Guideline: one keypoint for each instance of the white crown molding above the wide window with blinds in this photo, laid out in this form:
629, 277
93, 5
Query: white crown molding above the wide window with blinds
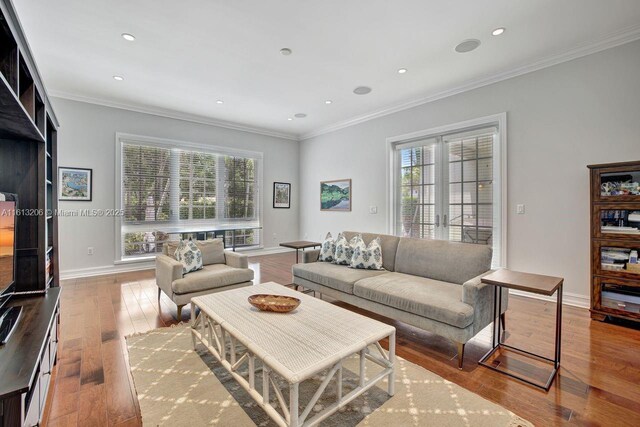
172, 114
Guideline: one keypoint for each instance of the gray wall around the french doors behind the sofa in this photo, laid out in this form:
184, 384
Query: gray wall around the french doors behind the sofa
559, 120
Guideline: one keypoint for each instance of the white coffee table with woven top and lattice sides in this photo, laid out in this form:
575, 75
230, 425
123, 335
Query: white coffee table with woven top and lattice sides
295, 346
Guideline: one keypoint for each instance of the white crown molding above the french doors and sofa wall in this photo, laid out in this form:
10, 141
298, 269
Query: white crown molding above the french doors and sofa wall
612, 40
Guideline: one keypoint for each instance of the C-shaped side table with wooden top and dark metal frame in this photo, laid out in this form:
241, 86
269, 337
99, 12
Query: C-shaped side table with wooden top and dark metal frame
527, 282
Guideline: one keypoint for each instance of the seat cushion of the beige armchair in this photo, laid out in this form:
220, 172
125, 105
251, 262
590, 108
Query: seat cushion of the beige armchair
211, 277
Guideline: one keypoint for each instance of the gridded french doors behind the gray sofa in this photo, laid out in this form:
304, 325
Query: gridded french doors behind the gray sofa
445, 187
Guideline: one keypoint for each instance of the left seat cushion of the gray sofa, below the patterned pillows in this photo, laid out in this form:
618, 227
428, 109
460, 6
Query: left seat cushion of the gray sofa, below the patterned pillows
339, 277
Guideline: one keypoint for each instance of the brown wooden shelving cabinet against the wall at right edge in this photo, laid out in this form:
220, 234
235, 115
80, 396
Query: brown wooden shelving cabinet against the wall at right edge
619, 277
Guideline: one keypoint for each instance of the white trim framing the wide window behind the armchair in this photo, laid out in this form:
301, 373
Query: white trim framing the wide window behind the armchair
170, 143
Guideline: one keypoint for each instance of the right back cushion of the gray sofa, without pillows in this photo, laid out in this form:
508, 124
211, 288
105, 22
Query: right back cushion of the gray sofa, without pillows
441, 260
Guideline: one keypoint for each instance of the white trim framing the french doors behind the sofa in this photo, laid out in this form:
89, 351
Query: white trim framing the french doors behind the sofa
500, 161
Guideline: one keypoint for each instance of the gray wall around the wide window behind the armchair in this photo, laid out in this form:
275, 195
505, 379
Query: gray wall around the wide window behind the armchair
87, 140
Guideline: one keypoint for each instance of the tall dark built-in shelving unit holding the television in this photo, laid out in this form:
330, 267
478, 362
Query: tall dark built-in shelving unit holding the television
28, 164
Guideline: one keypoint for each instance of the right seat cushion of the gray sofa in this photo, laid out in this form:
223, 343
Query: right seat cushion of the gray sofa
433, 299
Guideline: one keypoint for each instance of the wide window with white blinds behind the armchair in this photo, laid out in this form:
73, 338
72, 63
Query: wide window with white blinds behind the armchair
165, 185
